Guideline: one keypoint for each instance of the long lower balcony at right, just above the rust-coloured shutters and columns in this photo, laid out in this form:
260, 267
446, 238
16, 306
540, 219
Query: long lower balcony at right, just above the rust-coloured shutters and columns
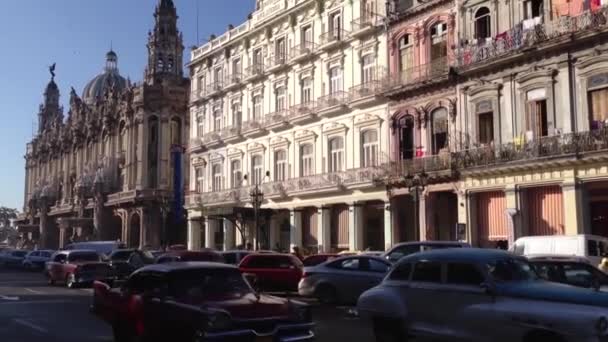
545, 150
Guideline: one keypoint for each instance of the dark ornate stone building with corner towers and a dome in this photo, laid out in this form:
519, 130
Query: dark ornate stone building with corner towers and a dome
114, 168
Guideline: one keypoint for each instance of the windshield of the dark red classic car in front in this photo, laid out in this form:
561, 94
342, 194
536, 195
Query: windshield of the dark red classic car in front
210, 284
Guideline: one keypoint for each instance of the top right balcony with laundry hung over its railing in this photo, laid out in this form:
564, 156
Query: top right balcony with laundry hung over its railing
531, 34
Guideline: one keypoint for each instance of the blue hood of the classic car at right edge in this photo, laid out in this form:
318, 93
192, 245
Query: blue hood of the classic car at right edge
555, 292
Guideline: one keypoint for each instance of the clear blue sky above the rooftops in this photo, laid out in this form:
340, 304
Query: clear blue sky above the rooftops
76, 34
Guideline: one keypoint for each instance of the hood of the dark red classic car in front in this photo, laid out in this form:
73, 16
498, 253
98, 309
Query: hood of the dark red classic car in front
251, 306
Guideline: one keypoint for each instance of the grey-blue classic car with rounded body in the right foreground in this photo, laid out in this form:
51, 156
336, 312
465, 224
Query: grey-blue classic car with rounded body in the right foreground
472, 294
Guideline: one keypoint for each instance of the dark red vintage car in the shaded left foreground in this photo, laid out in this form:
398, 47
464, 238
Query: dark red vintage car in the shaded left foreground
196, 301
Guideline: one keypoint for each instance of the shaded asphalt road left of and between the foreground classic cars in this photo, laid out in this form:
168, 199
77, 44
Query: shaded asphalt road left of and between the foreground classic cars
32, 311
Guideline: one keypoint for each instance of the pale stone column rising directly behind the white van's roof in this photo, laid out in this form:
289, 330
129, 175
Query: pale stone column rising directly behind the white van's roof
572, 191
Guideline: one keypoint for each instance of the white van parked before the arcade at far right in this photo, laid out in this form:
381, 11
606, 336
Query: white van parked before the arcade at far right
592, 247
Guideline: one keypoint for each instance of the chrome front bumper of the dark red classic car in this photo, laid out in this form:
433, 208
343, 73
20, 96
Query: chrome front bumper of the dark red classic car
282, 333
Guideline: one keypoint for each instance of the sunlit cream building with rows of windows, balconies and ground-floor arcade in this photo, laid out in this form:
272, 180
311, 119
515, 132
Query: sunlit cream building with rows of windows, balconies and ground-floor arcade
289, 103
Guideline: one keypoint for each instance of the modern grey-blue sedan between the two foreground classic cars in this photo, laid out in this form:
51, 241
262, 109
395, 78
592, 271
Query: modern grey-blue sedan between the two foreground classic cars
344, 279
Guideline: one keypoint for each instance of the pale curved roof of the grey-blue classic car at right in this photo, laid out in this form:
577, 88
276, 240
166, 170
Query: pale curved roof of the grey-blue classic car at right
460, 254
